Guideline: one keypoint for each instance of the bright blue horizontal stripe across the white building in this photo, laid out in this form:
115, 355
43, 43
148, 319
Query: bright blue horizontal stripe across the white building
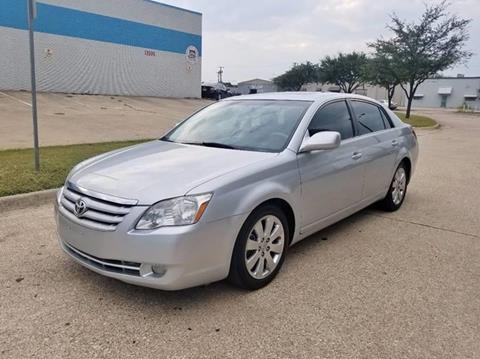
63, 21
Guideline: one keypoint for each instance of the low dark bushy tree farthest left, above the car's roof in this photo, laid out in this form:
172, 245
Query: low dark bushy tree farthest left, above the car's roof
297, 76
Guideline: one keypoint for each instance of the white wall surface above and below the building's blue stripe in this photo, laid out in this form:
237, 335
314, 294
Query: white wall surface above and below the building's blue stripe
75, 65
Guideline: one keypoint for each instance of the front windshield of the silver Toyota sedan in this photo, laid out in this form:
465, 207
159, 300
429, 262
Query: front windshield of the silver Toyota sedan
258, 125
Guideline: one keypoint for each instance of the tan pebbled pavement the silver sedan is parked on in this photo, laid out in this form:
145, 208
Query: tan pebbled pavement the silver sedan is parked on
376, 285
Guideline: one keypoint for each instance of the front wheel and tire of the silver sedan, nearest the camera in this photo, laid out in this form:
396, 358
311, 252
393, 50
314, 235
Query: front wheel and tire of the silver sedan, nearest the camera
269, 248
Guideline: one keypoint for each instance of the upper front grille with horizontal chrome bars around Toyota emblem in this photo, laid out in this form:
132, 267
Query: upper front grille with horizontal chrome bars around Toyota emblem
101, 213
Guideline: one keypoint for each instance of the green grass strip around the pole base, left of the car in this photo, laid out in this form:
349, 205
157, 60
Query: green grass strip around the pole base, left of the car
17, 173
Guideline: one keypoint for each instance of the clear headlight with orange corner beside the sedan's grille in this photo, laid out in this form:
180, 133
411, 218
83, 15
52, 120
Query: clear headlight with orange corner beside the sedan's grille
178, 211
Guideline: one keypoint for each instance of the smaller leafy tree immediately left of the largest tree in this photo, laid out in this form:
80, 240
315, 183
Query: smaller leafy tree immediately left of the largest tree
379, 71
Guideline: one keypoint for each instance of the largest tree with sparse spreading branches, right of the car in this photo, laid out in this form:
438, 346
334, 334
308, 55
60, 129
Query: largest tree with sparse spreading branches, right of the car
421, 50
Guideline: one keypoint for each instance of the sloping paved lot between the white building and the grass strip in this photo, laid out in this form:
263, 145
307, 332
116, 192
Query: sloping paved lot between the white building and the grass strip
66, 119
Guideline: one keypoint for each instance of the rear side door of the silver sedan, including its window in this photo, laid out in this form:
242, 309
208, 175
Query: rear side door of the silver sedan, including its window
380, 144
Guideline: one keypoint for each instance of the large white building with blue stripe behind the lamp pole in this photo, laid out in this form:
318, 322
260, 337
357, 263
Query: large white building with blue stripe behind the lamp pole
114, 47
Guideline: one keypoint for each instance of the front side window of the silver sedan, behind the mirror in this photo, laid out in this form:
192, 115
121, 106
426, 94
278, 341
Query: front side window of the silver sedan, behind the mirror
333, 117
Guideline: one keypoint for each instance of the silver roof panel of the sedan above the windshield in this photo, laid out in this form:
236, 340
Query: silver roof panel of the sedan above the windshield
300, 96
